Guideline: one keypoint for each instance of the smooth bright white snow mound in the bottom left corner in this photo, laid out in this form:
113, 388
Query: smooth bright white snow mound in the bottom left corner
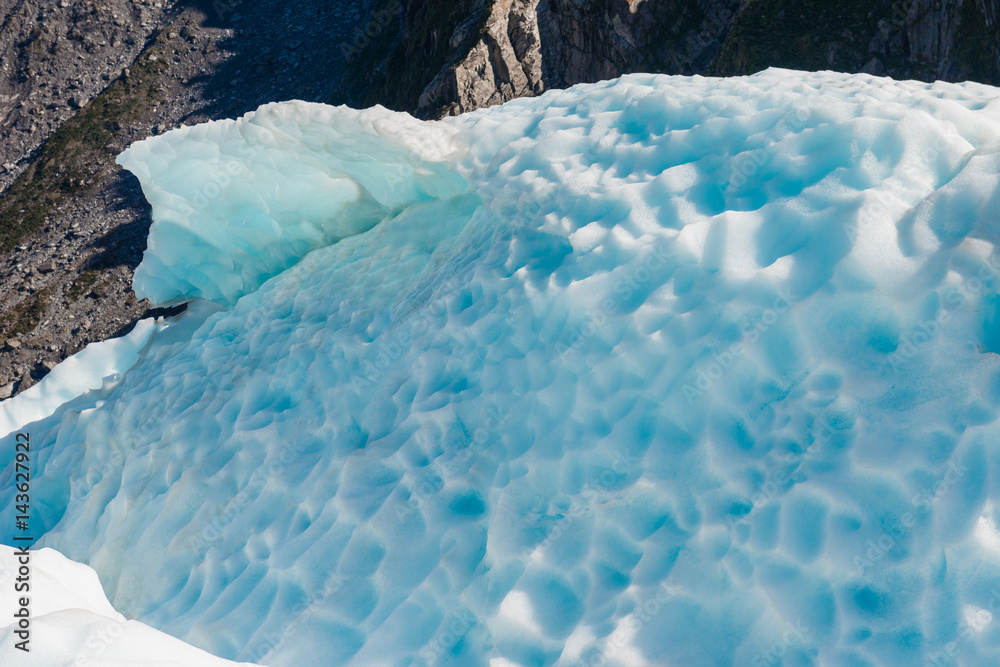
73, 625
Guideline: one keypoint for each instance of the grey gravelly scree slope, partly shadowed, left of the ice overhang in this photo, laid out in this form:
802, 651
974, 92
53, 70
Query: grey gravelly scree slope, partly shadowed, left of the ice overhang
80, 81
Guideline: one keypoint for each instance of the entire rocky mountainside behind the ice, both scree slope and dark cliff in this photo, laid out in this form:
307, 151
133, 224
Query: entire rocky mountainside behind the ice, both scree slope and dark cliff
82, 79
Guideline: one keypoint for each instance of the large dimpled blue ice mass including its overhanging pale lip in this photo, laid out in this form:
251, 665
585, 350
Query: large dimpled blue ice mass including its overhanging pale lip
655, 371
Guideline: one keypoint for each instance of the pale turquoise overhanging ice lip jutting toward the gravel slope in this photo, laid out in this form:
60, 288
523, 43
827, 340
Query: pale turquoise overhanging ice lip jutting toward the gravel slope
237, 201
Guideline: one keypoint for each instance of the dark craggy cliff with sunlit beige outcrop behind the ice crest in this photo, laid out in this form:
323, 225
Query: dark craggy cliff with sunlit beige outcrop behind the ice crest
502, 49
